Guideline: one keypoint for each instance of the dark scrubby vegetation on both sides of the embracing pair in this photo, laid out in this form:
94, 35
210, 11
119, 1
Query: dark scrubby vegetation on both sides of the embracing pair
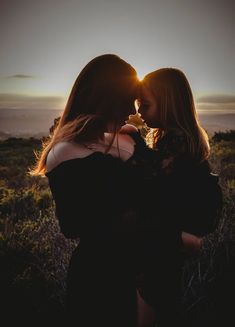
34, 255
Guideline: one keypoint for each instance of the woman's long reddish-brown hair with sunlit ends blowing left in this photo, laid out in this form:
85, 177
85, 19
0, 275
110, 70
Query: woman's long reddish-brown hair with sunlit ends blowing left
103, 94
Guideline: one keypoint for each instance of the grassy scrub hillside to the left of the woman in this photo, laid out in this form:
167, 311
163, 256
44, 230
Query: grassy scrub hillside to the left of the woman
34, 255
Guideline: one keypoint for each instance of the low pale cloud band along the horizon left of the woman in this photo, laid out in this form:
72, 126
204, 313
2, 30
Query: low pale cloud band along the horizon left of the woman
21, 101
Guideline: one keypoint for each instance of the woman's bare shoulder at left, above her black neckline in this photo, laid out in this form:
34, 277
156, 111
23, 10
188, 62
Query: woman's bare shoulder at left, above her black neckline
63, 151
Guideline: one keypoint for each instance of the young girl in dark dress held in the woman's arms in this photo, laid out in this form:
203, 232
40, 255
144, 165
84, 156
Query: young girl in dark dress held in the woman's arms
185, 193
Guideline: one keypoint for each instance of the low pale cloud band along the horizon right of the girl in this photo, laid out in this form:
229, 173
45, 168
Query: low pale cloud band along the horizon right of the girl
218, 102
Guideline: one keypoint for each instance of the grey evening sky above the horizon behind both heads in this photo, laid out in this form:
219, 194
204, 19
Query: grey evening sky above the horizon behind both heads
46, 43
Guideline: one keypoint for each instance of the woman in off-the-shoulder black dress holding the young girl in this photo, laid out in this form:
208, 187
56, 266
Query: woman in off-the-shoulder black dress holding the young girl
85, 164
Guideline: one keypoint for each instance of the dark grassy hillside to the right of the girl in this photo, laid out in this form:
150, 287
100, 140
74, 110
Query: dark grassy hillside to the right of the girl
209, 278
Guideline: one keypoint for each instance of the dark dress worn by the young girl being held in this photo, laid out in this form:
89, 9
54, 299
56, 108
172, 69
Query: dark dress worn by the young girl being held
183, 188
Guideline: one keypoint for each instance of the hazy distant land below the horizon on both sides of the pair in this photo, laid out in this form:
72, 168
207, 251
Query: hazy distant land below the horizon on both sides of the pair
36, 123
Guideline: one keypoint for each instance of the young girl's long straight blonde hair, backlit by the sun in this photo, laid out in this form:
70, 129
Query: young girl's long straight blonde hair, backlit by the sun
176, 109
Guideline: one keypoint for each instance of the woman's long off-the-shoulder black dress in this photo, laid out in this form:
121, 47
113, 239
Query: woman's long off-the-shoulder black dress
102, 200
